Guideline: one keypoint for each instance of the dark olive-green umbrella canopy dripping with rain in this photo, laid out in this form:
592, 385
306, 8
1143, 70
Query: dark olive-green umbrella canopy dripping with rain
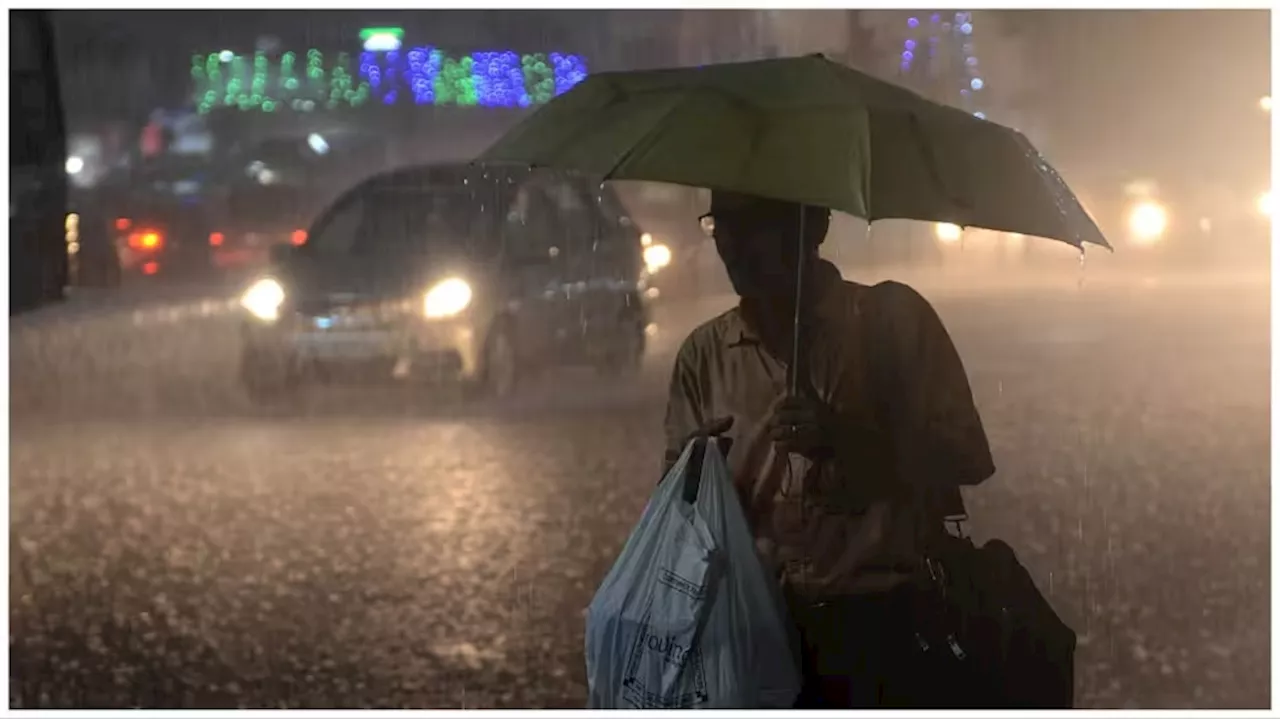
803, 130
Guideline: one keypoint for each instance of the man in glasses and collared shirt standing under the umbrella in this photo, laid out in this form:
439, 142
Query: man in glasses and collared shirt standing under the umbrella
844, 483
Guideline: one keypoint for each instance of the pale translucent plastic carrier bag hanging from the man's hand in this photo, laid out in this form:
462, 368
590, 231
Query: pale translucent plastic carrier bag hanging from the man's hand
688, 617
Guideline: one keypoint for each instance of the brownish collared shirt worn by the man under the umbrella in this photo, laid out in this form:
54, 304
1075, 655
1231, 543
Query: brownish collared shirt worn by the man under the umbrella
849, 524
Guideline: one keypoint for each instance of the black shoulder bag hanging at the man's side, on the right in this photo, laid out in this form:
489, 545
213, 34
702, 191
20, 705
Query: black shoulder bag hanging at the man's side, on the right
988, 636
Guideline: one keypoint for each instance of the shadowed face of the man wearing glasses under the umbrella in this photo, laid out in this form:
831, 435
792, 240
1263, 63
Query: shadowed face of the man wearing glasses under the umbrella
760, 245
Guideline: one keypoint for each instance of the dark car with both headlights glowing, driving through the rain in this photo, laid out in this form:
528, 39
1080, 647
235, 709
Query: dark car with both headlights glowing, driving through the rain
452, 274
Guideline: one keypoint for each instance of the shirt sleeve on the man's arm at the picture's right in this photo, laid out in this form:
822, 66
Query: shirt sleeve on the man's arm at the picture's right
938, 433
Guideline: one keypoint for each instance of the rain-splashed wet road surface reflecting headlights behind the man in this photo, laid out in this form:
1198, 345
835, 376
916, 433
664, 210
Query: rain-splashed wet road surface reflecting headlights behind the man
172, 546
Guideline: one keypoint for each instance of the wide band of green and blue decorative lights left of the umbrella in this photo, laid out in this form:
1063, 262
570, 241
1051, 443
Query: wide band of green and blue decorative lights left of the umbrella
423, 76
